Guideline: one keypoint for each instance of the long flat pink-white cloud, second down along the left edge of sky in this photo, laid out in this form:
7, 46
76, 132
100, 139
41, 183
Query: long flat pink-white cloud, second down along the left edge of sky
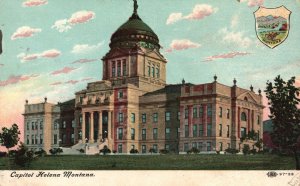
53, 53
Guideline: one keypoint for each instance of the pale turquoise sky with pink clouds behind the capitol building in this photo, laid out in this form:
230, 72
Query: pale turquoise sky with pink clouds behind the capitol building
53, 48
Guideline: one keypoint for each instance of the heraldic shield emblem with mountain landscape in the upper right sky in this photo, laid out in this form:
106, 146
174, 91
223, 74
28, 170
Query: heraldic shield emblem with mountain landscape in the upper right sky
272, 25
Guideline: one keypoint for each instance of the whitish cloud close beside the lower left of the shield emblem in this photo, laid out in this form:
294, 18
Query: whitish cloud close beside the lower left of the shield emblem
236, 38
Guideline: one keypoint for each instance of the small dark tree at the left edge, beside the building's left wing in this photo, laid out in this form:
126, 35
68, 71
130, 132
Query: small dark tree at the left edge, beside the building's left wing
10, 136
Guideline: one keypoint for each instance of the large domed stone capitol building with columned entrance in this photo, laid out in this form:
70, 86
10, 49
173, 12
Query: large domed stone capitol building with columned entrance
133, 107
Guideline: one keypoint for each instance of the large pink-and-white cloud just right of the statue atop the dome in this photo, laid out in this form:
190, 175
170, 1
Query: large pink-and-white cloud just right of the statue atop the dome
200, 11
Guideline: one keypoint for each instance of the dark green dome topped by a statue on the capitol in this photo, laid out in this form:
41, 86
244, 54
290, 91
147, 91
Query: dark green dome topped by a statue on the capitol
134, 32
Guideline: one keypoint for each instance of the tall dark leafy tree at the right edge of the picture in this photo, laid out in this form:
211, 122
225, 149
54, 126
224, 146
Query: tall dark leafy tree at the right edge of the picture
283, 98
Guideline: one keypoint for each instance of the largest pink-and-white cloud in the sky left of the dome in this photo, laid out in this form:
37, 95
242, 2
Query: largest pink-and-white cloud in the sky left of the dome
83, 16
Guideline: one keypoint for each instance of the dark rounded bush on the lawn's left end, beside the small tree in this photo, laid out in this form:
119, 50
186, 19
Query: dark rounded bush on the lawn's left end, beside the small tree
23, 157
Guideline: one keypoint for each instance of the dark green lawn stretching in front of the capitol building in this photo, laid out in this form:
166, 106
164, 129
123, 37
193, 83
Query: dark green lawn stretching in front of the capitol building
158, 162
